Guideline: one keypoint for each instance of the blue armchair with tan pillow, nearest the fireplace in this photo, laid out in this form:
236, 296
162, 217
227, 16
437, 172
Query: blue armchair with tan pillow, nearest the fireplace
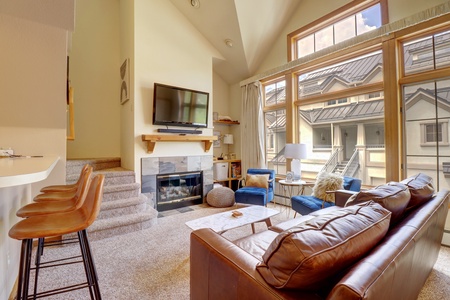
256, 194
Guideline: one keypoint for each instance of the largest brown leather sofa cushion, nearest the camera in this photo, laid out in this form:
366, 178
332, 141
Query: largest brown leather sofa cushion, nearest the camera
304, 256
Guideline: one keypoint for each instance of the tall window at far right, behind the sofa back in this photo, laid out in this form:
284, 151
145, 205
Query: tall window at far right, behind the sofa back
427, 107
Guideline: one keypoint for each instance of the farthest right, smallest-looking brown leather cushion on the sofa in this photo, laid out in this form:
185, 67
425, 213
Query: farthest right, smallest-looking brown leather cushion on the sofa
421, 189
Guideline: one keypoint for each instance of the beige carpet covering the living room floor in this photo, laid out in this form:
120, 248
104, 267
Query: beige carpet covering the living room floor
154, 263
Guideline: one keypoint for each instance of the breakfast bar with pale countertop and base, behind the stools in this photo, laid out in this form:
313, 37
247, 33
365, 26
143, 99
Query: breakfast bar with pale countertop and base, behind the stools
16, 177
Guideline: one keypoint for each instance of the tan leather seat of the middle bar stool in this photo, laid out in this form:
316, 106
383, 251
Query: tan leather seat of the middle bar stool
63, 204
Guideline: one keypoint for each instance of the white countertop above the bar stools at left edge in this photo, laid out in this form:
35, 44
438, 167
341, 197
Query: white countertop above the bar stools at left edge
23, 170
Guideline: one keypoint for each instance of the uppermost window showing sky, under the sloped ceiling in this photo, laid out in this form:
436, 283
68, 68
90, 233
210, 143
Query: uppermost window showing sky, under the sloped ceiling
337, 27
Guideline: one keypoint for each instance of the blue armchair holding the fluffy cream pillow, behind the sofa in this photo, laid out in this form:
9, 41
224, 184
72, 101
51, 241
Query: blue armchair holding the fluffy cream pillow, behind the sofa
305, 205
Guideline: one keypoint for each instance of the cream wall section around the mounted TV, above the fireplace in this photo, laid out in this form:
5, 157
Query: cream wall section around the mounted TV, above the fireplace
168, 50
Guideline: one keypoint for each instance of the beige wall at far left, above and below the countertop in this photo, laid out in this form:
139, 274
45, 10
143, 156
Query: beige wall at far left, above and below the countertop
33, 107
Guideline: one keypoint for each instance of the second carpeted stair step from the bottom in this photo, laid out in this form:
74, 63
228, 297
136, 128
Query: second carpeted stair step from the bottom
115, 208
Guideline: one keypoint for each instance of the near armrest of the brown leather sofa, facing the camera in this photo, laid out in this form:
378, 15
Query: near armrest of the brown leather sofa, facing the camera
221, 270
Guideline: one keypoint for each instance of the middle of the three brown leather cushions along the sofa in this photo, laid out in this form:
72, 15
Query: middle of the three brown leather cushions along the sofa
393, 196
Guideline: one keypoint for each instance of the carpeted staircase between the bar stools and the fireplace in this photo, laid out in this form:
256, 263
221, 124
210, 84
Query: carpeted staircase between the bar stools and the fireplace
124, 209
